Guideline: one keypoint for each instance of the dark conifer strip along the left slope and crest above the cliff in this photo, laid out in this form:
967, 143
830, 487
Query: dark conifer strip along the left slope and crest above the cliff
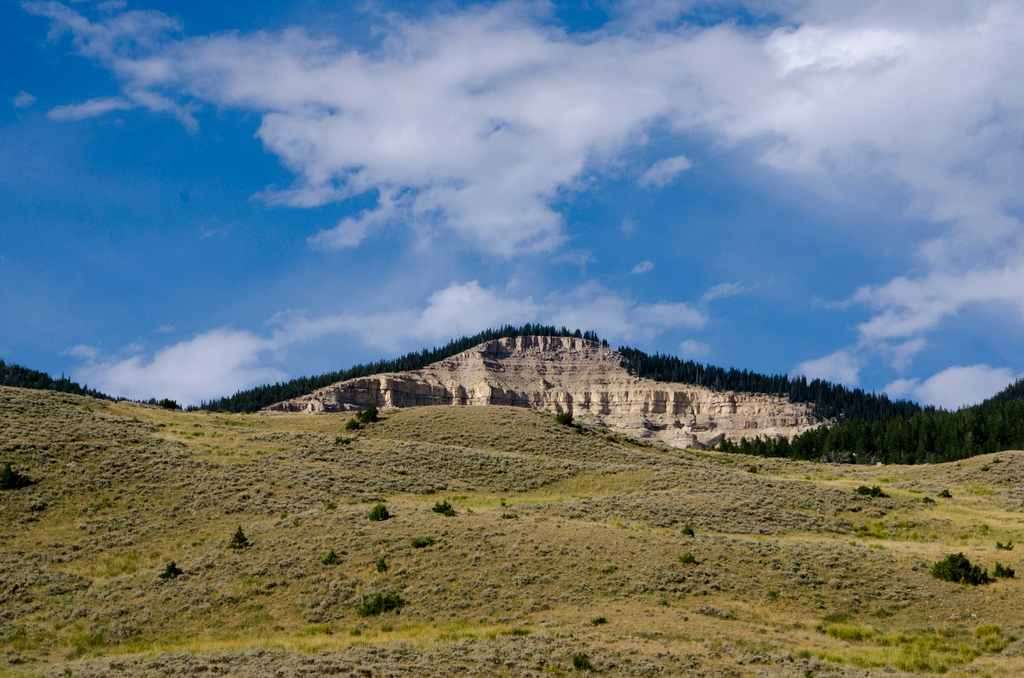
253, 400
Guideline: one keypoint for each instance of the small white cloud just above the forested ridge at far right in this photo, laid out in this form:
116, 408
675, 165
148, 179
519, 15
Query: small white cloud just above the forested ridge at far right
955, 388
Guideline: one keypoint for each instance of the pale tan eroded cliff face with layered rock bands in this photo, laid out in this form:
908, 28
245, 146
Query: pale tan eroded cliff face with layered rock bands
567, 374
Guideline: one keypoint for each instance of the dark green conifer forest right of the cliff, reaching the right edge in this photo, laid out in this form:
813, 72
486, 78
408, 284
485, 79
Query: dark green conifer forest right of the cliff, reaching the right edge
926, 437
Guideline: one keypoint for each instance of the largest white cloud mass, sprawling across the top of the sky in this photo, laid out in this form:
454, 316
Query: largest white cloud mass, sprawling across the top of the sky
480, 120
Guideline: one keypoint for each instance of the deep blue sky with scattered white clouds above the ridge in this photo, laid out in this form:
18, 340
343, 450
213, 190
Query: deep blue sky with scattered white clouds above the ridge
197, 198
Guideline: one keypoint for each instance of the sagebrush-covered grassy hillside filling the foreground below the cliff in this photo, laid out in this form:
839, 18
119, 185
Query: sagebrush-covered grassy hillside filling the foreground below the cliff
567, 549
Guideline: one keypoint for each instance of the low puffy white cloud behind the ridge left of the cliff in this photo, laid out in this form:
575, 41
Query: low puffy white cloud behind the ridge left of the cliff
211, 364
